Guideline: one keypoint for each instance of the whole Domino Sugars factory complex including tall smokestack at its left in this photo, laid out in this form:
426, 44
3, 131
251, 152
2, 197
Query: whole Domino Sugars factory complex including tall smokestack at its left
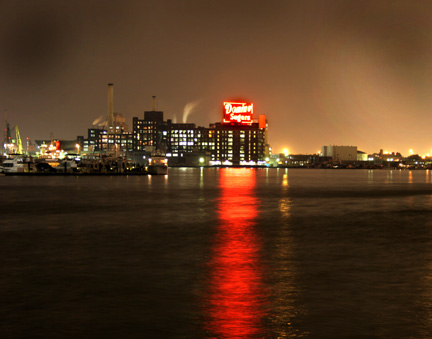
238, 139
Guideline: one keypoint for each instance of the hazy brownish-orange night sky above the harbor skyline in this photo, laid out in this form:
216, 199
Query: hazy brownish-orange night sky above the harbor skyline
324, 72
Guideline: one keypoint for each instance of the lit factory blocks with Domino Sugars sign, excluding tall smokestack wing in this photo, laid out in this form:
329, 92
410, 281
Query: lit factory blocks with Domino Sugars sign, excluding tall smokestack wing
236, 140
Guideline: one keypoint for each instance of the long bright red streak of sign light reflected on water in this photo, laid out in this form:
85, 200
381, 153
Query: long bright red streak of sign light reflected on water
235, 303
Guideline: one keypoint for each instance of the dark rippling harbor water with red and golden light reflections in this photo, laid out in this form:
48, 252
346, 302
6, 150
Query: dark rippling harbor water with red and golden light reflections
208, 253
